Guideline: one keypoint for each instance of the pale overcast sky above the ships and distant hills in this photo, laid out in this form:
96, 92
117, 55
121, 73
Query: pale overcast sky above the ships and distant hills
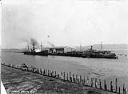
66, 22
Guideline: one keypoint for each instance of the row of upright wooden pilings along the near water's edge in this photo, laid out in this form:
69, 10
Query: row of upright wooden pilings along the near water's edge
75, 78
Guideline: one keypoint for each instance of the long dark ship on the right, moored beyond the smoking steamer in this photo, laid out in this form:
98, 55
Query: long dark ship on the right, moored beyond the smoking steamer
90, 53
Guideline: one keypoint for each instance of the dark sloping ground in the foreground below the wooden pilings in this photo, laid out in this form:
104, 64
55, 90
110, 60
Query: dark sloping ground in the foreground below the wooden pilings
16, 80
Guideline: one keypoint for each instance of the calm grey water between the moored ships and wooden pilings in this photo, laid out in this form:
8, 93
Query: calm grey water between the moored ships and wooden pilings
101, 68
